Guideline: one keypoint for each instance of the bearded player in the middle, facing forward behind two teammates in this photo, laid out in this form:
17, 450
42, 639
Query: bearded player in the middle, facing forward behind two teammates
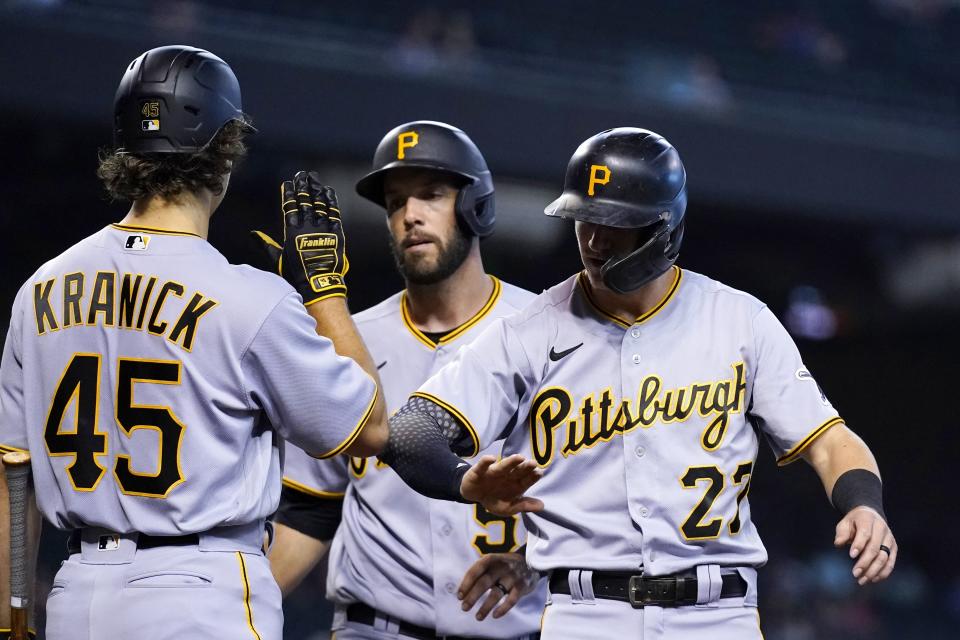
398, 560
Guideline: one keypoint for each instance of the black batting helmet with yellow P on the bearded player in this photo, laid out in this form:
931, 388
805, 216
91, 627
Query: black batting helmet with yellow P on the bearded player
434, 145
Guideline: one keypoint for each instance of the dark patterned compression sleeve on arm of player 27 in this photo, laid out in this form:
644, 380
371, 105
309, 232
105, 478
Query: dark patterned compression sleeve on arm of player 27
422, 437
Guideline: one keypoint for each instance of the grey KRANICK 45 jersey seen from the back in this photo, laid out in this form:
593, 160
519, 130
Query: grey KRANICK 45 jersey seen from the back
149, 379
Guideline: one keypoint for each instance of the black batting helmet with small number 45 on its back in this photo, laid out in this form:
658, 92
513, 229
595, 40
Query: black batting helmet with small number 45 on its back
174, 99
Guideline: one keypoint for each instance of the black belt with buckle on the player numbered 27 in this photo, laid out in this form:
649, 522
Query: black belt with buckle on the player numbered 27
639, 590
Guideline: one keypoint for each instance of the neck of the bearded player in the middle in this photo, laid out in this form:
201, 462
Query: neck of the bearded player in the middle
451, 302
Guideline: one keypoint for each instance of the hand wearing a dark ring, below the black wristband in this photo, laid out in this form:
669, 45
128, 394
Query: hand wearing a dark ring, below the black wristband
871, 542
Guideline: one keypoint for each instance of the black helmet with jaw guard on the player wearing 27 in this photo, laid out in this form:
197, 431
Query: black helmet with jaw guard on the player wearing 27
628, 178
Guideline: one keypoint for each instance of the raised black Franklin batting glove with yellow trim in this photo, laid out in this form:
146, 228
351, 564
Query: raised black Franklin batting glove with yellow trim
312, 256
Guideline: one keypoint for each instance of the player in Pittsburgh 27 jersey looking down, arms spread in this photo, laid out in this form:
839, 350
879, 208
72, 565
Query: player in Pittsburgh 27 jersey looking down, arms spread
633, 394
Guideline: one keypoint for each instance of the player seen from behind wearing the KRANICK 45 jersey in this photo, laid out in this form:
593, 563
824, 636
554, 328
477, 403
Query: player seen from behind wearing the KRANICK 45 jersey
151, 380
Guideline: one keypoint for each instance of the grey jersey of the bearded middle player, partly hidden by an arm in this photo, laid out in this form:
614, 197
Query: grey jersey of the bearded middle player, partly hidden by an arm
395, 549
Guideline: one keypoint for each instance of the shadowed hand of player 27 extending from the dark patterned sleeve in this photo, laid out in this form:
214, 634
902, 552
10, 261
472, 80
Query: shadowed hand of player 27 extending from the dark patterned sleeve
499, 485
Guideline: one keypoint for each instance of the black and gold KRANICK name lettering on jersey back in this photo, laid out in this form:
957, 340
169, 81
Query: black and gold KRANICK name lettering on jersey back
135, 304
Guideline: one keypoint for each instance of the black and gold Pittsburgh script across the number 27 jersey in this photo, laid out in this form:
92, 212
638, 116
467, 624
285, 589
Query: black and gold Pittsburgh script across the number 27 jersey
599, 418
